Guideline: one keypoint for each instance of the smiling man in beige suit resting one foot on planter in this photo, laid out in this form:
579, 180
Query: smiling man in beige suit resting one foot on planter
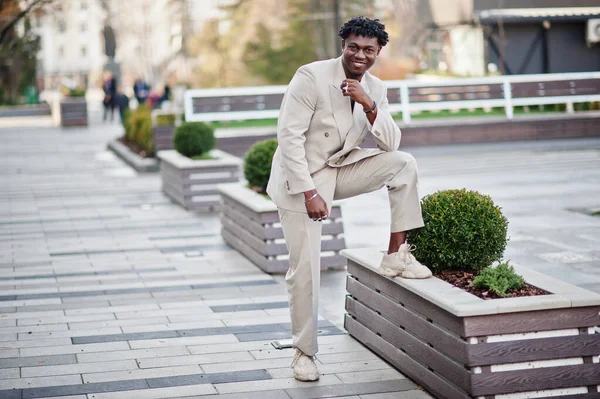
329, 109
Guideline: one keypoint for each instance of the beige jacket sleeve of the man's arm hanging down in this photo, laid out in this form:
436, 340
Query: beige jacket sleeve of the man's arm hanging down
296, 112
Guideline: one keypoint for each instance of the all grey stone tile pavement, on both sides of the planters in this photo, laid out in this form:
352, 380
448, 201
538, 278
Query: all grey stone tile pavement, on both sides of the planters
108, 290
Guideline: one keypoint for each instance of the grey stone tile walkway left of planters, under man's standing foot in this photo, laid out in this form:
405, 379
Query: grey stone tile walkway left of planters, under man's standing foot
108, 290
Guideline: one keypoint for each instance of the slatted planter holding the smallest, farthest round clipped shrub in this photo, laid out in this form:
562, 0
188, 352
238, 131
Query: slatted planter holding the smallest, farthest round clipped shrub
193, 184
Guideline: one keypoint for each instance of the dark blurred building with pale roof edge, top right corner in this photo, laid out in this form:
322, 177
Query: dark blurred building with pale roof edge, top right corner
543, 39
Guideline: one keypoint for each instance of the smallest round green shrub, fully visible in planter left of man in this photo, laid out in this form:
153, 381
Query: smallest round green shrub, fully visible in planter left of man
194, 138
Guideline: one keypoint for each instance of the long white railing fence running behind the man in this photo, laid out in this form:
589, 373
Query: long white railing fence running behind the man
411, 96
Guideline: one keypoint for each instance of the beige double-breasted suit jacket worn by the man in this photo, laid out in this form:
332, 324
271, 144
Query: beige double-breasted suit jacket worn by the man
318, 132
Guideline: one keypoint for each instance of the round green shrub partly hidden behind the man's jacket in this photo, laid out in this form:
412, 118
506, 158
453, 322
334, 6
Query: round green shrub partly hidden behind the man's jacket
257, 165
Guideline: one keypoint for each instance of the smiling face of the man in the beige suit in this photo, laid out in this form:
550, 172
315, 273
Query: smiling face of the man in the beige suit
359, 54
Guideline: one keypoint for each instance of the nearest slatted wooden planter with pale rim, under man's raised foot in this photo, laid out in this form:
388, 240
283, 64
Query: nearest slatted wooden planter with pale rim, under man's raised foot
457, 345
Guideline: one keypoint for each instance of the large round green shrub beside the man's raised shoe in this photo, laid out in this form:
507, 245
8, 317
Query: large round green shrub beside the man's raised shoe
464, 230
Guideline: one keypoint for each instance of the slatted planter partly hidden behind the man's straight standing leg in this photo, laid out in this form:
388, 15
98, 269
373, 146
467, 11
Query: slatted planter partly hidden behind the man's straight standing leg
250, 224
